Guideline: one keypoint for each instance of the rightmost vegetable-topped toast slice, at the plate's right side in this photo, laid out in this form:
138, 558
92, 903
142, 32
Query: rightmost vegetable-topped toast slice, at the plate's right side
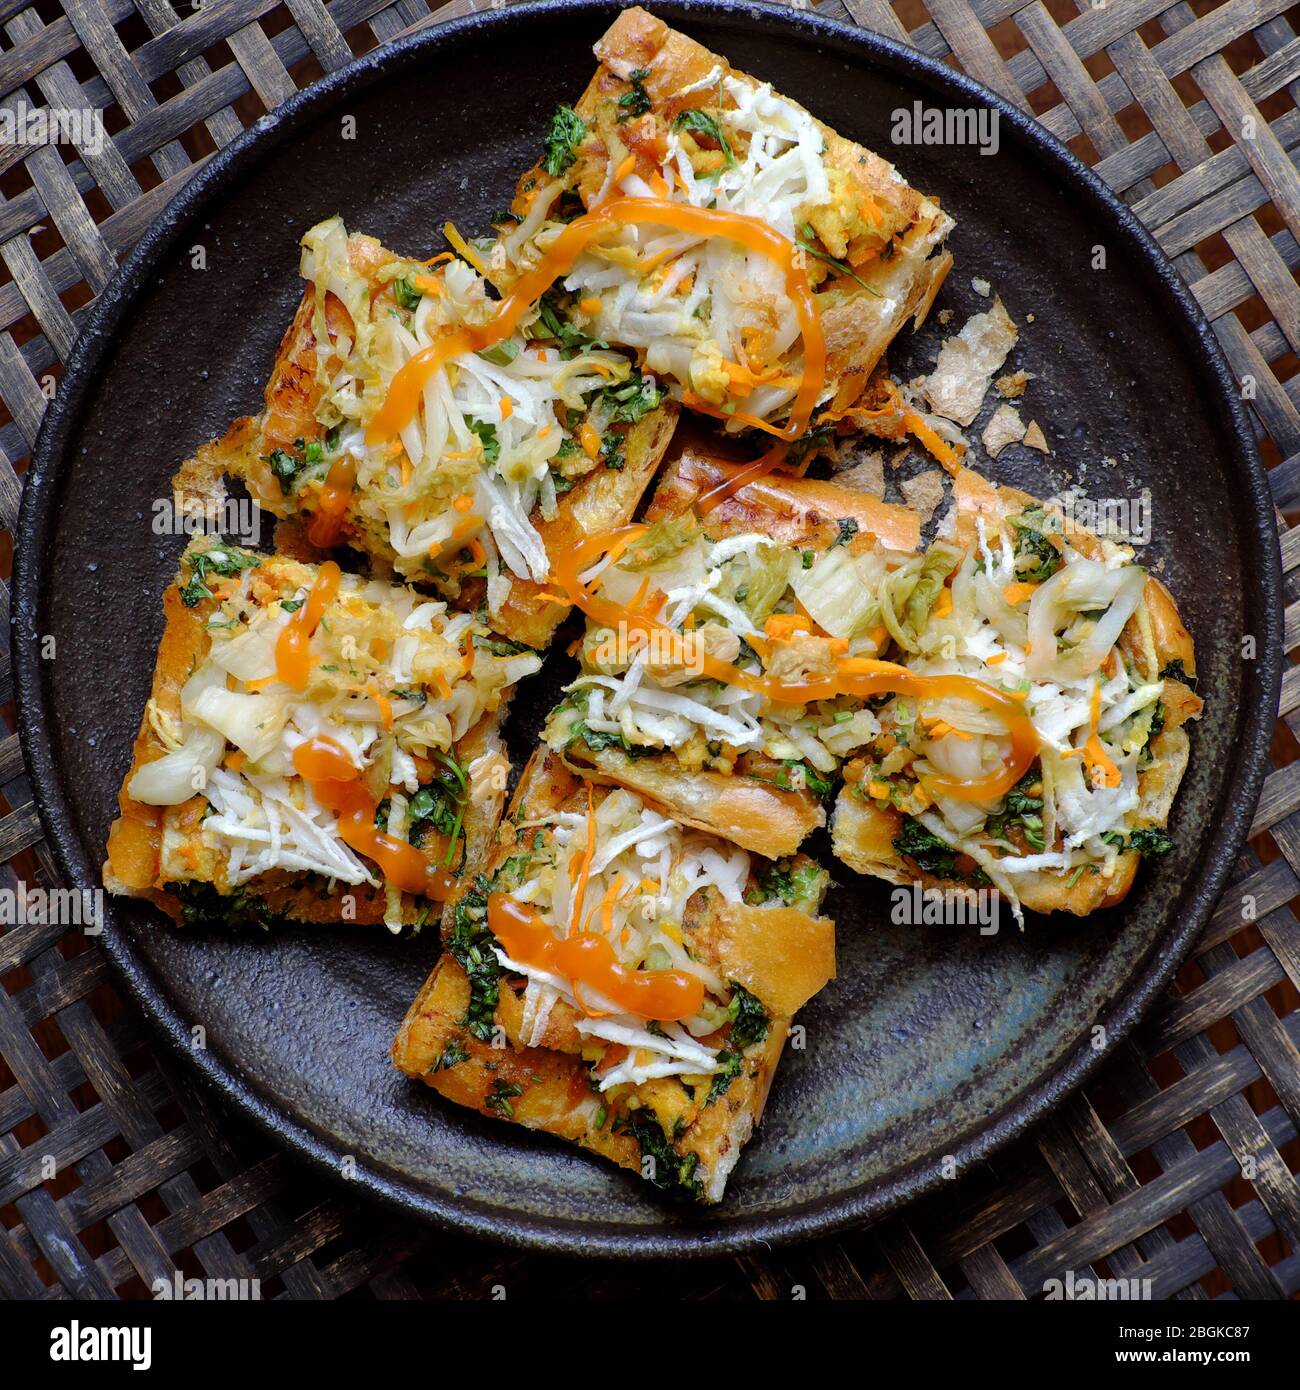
1094, 650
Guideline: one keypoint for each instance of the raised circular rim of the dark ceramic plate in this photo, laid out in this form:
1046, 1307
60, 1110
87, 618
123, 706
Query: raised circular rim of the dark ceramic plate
38, 521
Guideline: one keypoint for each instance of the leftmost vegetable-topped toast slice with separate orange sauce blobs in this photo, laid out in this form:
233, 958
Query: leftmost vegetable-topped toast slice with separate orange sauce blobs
316, 747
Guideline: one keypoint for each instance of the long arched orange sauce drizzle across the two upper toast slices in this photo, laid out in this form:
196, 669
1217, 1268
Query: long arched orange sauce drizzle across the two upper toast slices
404, 394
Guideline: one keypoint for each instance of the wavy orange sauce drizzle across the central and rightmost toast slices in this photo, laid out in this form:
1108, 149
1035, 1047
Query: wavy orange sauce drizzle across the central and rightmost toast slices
857, 676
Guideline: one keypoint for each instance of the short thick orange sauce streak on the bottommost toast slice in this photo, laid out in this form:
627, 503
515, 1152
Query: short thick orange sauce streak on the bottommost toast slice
589, 958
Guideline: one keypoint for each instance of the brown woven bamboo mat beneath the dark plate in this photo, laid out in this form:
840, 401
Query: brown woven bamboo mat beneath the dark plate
1177, 1166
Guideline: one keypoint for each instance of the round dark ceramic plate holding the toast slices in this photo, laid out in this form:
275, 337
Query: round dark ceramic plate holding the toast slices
932, 1042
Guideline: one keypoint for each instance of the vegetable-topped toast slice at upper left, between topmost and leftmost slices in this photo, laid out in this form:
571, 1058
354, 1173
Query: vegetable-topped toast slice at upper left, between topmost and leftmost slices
511, 455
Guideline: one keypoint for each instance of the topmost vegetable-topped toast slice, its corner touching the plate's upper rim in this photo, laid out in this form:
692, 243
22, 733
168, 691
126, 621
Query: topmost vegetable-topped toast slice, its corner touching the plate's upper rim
665, 119
